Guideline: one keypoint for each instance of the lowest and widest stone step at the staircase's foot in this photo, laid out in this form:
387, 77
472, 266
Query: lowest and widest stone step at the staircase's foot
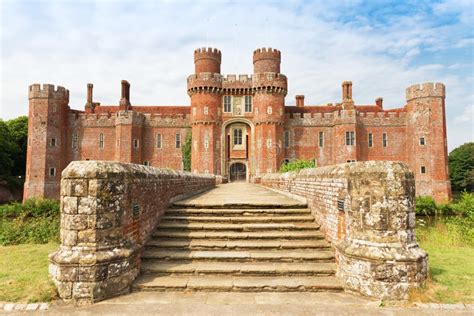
150, 282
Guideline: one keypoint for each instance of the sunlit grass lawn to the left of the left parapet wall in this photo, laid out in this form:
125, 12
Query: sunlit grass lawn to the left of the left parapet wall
24, 273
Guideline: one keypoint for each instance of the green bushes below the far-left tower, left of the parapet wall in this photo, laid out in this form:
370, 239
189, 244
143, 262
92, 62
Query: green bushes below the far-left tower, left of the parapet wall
35, 221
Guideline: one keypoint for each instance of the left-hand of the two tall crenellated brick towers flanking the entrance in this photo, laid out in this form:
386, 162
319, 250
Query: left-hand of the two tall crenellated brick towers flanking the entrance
205, 90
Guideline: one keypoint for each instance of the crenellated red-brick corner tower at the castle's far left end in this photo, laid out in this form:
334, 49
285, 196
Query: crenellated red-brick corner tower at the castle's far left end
47, 135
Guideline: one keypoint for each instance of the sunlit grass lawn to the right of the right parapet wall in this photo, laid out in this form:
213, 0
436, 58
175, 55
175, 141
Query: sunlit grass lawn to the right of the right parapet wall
451, 267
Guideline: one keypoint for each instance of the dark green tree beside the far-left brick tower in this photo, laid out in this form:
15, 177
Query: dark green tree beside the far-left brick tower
18, 129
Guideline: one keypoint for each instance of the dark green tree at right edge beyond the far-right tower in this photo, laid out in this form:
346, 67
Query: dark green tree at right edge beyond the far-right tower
461, 168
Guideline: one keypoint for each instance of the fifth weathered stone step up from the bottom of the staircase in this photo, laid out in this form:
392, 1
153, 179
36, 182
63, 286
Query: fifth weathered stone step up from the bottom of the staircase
239, 235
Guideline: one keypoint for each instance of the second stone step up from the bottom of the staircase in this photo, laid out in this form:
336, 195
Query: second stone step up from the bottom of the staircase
164, 267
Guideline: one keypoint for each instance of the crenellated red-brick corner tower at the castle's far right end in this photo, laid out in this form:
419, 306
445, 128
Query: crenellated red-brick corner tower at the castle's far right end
426, 141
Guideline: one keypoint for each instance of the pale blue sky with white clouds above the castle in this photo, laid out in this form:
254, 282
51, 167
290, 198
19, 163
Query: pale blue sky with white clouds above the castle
381, 46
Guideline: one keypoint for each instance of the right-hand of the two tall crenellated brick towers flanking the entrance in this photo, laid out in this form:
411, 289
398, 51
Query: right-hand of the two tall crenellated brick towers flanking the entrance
270, 88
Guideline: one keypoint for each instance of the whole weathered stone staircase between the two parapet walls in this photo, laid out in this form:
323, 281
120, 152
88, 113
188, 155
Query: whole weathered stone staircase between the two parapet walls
238, 247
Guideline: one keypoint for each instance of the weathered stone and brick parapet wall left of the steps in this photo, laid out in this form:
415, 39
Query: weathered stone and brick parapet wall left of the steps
108, 211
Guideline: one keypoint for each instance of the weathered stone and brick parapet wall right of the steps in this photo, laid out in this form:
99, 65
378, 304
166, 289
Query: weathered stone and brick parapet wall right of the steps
366, 210
